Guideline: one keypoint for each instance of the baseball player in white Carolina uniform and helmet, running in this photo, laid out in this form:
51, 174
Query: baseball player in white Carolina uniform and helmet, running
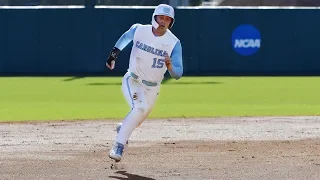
155, 50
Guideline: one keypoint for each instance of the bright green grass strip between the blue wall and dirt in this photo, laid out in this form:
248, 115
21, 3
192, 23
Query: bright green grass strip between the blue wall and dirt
67, 98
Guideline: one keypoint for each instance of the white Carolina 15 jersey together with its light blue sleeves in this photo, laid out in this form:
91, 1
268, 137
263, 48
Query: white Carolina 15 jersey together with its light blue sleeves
147, 55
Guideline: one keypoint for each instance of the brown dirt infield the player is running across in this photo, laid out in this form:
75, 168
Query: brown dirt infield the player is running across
217, 148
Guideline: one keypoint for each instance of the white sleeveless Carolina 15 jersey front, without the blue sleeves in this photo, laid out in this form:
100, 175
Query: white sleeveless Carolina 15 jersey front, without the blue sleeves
147, 54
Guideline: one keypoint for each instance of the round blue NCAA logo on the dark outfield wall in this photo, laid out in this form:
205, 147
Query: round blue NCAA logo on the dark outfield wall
246, 40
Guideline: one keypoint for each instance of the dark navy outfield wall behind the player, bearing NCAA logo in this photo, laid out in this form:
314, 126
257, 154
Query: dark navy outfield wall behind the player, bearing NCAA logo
73, 40
